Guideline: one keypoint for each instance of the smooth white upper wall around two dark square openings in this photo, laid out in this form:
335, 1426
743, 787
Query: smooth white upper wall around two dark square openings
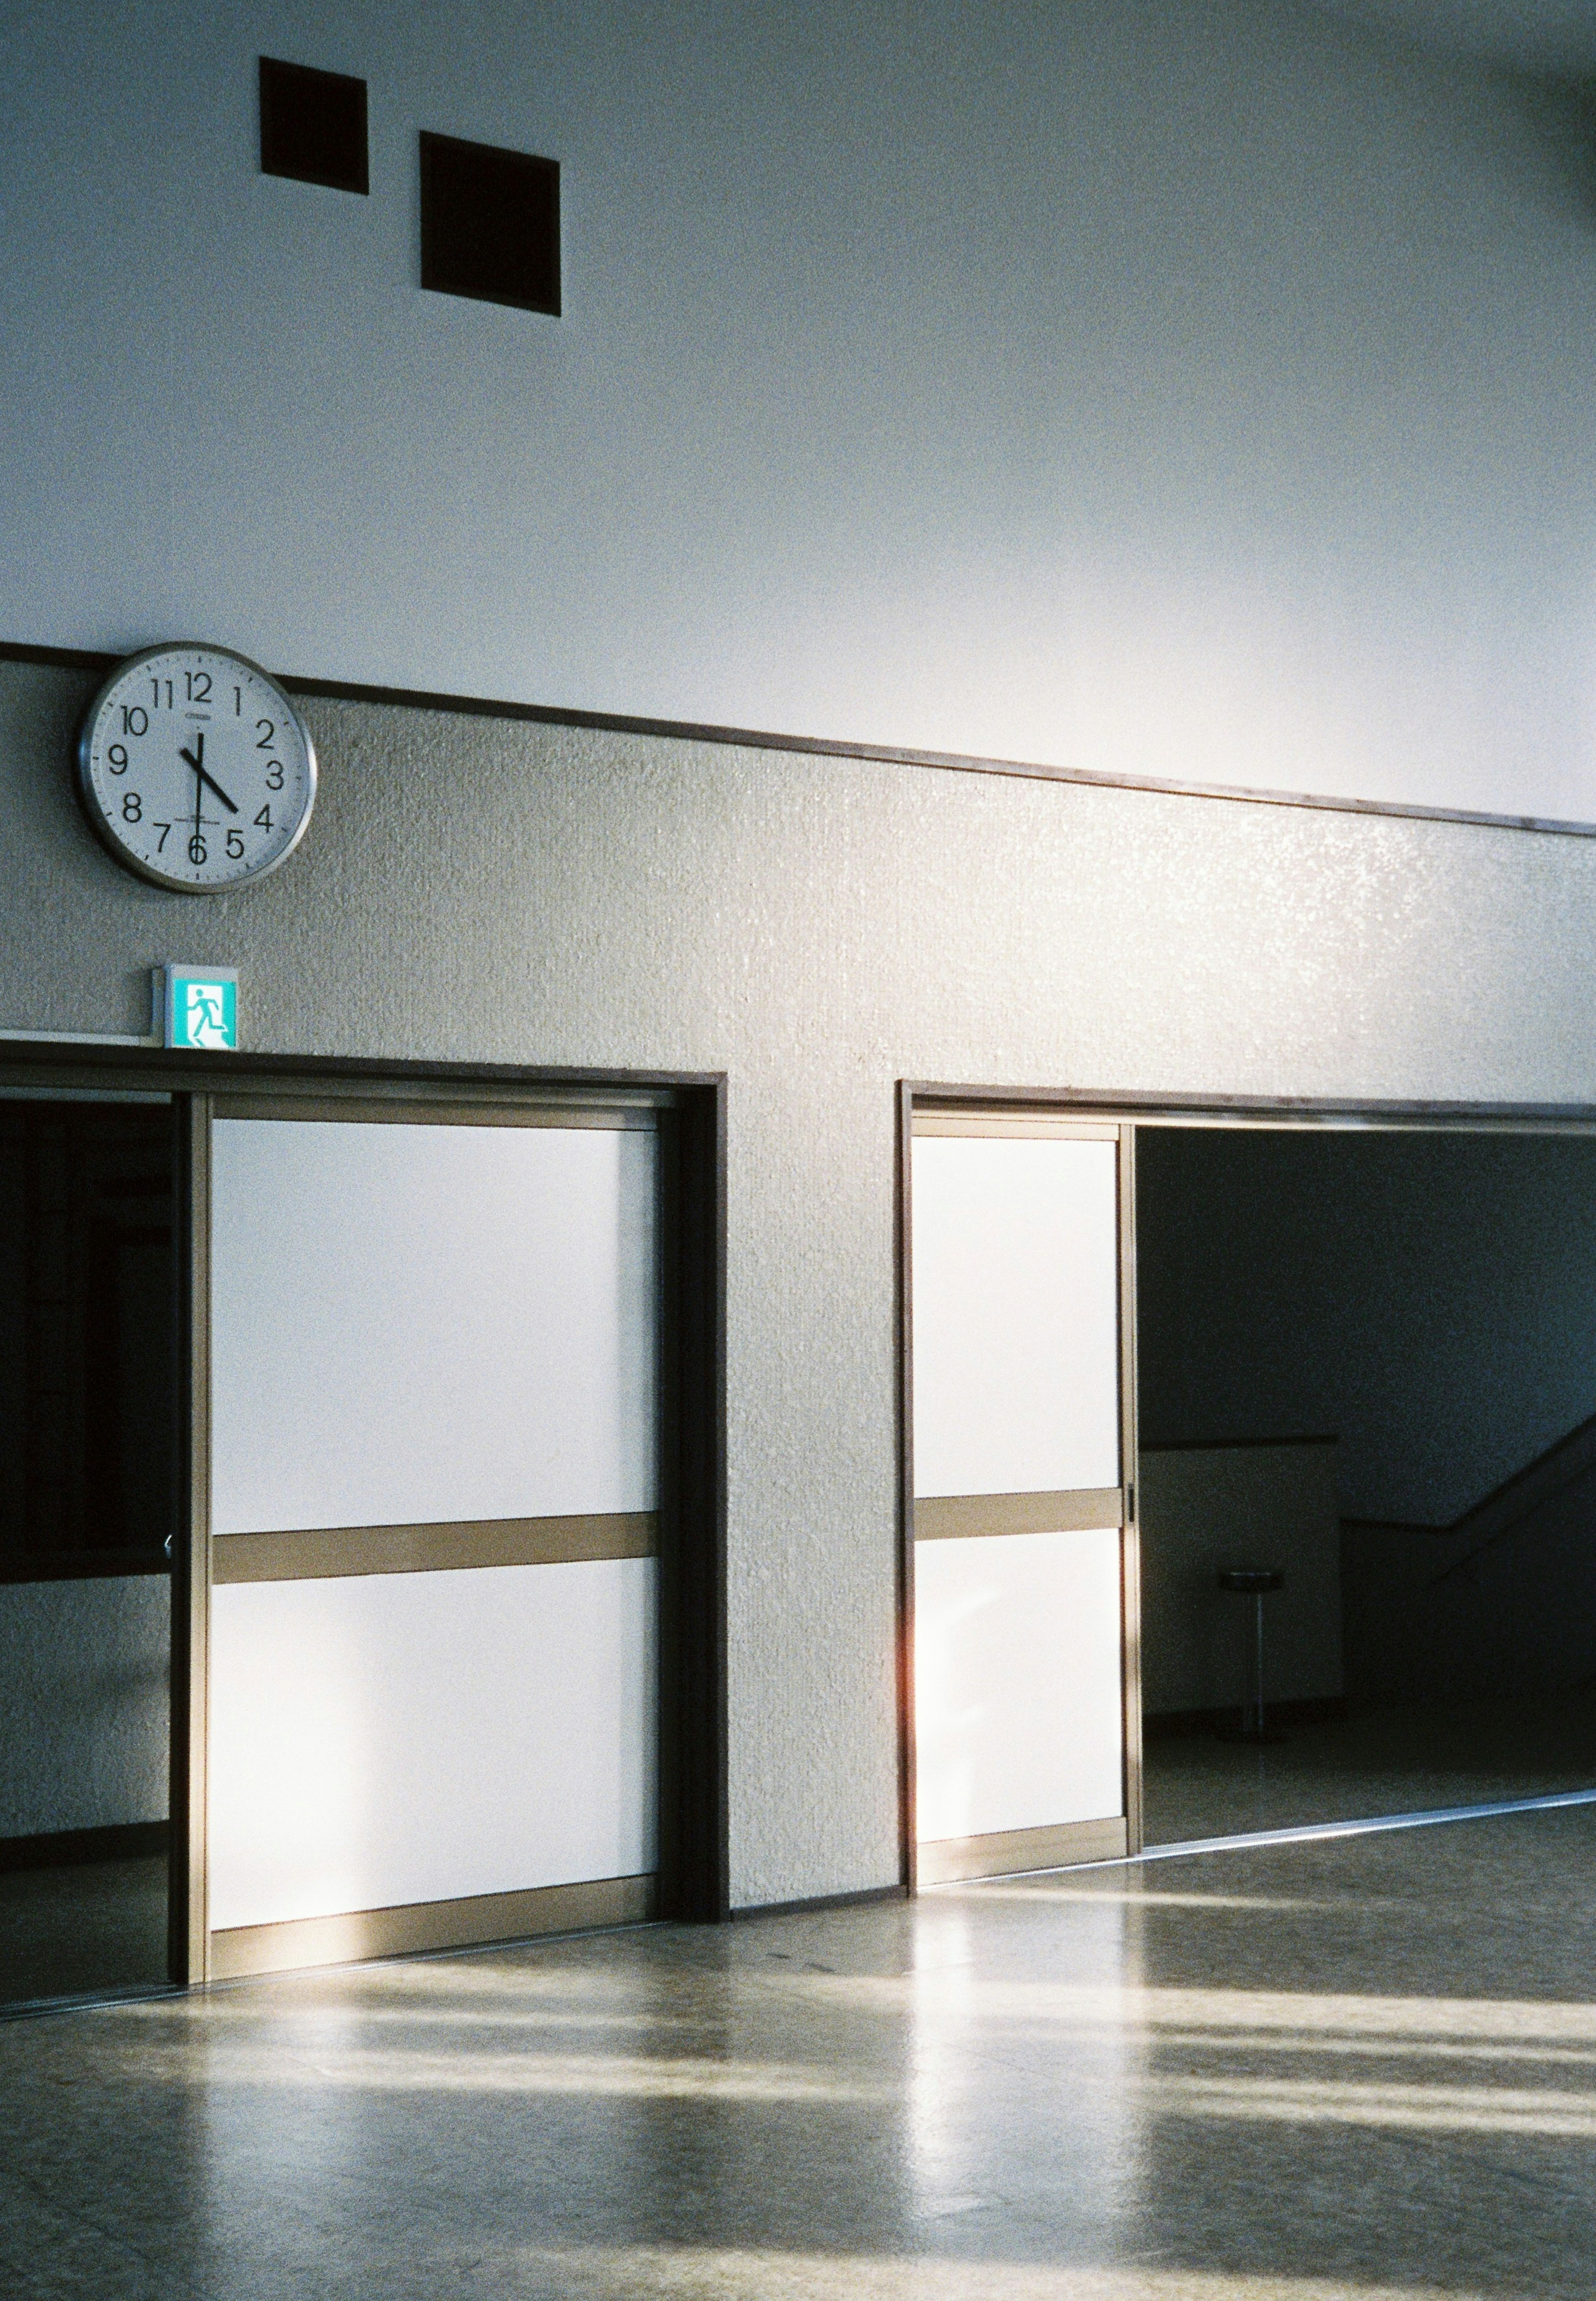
1163, 390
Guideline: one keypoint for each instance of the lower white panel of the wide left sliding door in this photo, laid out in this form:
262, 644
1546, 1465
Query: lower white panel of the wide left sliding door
399, 1738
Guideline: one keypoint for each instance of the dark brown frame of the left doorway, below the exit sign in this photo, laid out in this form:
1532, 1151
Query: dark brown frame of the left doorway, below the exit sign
693, 1409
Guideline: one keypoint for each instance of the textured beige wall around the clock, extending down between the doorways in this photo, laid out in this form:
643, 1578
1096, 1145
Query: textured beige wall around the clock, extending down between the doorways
820, 928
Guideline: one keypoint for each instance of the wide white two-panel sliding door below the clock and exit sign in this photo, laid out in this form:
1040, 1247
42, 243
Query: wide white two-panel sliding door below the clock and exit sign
433, 1681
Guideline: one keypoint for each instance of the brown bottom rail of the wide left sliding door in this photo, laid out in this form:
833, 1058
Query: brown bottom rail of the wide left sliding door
417, 1927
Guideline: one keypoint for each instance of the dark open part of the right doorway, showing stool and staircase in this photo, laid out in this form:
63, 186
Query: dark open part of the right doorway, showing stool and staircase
1367, 1361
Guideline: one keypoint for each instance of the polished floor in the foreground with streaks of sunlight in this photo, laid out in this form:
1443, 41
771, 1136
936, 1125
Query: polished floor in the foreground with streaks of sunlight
1363, 2067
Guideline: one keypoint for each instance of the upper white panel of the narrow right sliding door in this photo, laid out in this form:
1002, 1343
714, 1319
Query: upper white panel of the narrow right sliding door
1018, 1315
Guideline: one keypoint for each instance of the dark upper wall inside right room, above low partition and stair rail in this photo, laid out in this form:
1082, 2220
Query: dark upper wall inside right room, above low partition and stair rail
1427, 1299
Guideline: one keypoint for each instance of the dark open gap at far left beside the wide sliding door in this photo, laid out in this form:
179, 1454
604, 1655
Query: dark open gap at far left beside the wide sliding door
89, 1506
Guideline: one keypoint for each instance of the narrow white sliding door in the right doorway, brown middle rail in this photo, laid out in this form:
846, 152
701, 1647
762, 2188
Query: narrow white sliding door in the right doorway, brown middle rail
1025, 1552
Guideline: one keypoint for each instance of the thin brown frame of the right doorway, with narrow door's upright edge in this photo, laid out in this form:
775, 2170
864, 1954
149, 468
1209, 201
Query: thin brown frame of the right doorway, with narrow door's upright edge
1128, 1113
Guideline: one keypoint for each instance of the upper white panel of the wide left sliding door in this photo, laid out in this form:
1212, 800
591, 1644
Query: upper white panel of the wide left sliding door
429, 1324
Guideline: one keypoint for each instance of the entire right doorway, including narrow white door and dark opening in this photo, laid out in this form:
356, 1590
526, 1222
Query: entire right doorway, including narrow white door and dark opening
1349, 1492
